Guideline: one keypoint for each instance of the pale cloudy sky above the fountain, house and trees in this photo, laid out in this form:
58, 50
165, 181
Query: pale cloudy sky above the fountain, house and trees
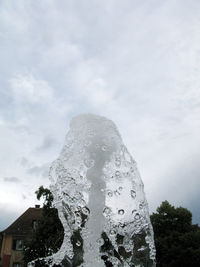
135, 62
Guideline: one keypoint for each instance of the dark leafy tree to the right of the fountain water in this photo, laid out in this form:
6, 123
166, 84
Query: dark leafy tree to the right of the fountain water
177, 240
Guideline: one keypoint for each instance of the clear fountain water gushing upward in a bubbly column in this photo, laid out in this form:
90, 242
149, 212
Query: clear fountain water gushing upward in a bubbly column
99, 195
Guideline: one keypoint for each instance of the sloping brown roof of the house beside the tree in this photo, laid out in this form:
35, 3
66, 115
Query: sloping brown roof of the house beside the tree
24, 224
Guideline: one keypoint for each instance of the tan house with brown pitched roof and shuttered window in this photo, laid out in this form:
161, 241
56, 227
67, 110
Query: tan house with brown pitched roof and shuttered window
12, 238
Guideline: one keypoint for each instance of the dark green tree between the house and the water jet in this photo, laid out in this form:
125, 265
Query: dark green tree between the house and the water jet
48, 235
